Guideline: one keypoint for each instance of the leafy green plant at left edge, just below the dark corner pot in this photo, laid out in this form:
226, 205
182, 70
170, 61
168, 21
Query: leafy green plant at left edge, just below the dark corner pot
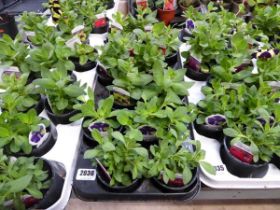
15, 53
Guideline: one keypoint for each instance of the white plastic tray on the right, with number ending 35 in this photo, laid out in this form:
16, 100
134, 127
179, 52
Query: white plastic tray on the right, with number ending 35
223, 179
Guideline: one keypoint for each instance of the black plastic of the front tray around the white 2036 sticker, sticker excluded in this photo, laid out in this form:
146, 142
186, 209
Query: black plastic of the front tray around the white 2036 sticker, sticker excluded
92, 190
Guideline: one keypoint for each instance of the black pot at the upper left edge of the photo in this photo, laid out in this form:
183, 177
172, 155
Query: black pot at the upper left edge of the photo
8, 26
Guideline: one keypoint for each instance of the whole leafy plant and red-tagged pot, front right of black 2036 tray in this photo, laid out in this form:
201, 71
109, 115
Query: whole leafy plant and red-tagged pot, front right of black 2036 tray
174, 168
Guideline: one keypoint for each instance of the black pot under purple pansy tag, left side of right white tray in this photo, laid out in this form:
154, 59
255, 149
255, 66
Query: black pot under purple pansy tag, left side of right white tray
214, 132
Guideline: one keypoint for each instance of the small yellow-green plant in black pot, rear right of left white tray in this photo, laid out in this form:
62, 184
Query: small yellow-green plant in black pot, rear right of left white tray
84, 57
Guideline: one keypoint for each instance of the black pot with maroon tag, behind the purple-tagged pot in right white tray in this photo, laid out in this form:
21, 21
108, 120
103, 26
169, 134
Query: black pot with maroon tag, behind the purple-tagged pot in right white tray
194, 72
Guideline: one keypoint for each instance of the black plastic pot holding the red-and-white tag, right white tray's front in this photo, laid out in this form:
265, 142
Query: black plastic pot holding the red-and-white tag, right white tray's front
239, 168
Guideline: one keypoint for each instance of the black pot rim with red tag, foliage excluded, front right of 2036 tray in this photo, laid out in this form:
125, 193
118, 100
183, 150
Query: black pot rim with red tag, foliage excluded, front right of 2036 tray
177, 185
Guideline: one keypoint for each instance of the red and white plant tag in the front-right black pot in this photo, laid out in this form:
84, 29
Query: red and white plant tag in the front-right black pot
242, 152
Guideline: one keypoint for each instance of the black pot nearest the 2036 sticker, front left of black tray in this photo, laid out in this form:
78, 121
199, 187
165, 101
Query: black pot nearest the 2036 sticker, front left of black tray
120, 189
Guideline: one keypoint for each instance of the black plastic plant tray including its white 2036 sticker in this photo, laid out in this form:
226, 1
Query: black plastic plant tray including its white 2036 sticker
87, 187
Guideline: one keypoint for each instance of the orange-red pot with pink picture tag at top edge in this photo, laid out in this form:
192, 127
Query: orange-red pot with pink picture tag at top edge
166, 10
